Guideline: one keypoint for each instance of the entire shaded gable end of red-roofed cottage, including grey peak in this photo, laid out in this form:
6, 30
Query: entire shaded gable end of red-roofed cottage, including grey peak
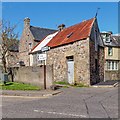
96, 55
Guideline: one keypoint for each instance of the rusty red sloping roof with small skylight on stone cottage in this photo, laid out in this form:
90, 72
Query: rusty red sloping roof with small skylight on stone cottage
71, 34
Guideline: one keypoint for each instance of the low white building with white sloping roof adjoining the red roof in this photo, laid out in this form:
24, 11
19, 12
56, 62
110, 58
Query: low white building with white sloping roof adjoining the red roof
38, 53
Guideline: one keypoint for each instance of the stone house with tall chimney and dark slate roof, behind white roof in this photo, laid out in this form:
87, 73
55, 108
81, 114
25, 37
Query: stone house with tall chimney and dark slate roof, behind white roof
31, 36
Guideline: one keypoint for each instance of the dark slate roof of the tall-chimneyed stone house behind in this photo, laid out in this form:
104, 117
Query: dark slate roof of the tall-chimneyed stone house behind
40, 33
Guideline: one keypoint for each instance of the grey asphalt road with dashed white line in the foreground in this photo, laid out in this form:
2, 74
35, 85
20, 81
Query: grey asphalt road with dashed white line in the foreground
71, 103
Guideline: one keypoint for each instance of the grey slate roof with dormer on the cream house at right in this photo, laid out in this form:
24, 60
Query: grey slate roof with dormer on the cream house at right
114, 41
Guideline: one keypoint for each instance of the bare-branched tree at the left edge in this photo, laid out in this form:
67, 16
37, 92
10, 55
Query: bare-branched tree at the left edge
9, 39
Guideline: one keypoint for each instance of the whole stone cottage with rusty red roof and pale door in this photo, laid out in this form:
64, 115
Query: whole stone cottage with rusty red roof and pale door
77, 53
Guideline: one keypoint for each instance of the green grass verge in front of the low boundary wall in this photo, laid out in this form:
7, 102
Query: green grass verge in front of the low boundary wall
18, 86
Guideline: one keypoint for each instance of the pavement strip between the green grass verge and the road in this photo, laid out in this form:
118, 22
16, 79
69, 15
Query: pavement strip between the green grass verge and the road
40, 93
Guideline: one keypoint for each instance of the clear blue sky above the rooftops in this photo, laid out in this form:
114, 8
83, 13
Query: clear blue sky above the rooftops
51, 14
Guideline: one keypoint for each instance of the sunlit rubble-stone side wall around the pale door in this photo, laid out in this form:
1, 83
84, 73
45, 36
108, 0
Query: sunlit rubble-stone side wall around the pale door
80, 51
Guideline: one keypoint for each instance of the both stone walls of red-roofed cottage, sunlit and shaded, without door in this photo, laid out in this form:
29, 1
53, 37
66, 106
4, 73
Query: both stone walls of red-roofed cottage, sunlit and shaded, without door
85, 69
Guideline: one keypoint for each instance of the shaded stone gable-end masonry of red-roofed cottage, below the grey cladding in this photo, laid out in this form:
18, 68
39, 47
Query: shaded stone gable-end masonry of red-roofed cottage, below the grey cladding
96, 70
